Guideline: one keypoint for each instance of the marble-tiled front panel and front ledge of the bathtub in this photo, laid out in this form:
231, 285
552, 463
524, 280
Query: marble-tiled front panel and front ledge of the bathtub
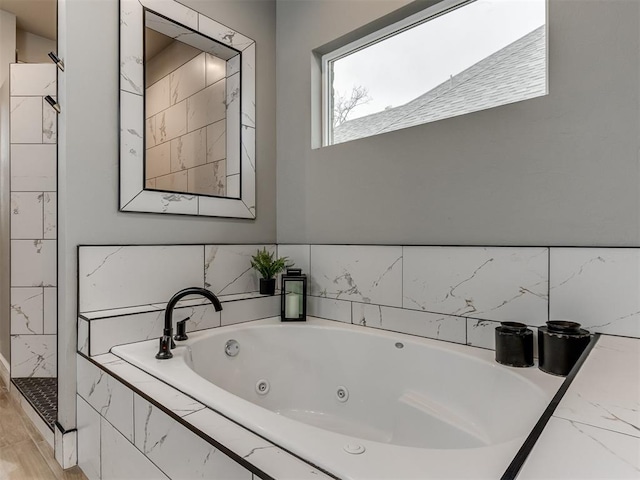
127, 417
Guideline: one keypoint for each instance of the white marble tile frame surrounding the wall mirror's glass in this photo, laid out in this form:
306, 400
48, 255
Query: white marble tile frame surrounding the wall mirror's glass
133, 197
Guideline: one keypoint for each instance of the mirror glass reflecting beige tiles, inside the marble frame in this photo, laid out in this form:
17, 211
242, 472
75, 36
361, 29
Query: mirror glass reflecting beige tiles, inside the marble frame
192, 111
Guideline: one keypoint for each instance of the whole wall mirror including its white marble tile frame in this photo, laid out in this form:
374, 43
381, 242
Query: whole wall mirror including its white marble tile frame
187, 98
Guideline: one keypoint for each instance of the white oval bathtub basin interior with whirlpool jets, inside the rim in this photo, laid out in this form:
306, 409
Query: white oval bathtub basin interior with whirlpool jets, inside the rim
420, 394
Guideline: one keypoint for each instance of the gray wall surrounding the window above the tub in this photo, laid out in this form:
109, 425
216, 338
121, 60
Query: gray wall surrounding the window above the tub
557, 170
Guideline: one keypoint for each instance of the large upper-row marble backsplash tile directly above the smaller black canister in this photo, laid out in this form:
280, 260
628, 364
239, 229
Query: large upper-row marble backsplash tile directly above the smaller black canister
492, 283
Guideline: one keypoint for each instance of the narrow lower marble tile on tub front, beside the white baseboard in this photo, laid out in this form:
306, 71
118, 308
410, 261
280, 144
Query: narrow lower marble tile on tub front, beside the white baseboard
88, 424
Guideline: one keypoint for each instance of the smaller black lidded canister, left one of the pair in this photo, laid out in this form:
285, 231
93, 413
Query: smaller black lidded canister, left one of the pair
514, 344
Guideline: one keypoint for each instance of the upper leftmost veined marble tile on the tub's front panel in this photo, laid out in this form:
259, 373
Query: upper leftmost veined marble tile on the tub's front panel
106, 395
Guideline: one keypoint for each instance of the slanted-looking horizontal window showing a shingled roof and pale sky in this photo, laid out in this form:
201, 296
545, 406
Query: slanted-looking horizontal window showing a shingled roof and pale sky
450, 59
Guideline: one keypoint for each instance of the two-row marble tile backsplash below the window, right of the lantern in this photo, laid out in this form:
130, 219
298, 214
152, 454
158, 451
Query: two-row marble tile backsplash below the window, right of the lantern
460, 294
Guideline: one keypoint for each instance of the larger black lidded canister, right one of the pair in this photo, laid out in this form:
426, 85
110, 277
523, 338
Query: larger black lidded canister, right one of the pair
560, 344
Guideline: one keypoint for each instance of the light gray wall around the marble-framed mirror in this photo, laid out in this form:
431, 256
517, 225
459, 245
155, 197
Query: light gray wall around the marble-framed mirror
88, 154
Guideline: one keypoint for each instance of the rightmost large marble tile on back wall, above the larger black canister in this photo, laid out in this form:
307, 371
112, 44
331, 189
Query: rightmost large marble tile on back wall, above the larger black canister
597, 287
